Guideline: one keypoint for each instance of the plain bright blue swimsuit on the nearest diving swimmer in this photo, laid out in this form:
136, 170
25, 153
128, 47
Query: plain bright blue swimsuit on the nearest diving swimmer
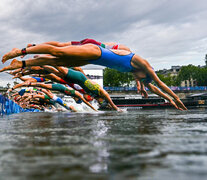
112, 60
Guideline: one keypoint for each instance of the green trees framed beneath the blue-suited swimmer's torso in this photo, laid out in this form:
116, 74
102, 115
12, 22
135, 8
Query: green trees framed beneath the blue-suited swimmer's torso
115, 78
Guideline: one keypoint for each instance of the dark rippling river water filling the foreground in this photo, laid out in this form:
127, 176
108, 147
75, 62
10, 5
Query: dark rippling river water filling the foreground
137, 144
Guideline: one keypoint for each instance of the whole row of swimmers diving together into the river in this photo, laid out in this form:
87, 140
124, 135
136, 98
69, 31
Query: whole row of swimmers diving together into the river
55, 67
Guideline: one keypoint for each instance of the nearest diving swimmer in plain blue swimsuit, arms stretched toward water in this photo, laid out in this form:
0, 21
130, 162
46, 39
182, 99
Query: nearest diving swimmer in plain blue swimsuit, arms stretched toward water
71, 56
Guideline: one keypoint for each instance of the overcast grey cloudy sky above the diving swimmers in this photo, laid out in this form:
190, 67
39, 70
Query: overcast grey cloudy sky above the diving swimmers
165, 32
